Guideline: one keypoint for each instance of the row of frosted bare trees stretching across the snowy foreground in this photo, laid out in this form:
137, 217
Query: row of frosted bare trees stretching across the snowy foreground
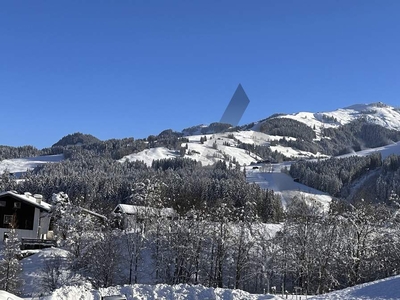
312, 251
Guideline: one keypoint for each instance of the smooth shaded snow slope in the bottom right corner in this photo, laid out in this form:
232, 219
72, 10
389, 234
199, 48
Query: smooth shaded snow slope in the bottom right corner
385, 289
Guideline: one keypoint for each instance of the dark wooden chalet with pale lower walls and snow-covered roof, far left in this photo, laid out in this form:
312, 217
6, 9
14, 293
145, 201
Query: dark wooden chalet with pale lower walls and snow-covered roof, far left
27, 213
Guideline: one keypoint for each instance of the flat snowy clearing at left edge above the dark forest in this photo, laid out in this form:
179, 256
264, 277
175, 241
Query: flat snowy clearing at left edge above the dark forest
21, 165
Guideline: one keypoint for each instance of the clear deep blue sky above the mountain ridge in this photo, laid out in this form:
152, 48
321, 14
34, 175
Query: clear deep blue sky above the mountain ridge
119, 69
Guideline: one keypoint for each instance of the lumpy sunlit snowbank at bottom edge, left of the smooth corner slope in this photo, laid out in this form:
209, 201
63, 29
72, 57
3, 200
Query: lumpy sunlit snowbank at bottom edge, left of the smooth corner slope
158, 292
